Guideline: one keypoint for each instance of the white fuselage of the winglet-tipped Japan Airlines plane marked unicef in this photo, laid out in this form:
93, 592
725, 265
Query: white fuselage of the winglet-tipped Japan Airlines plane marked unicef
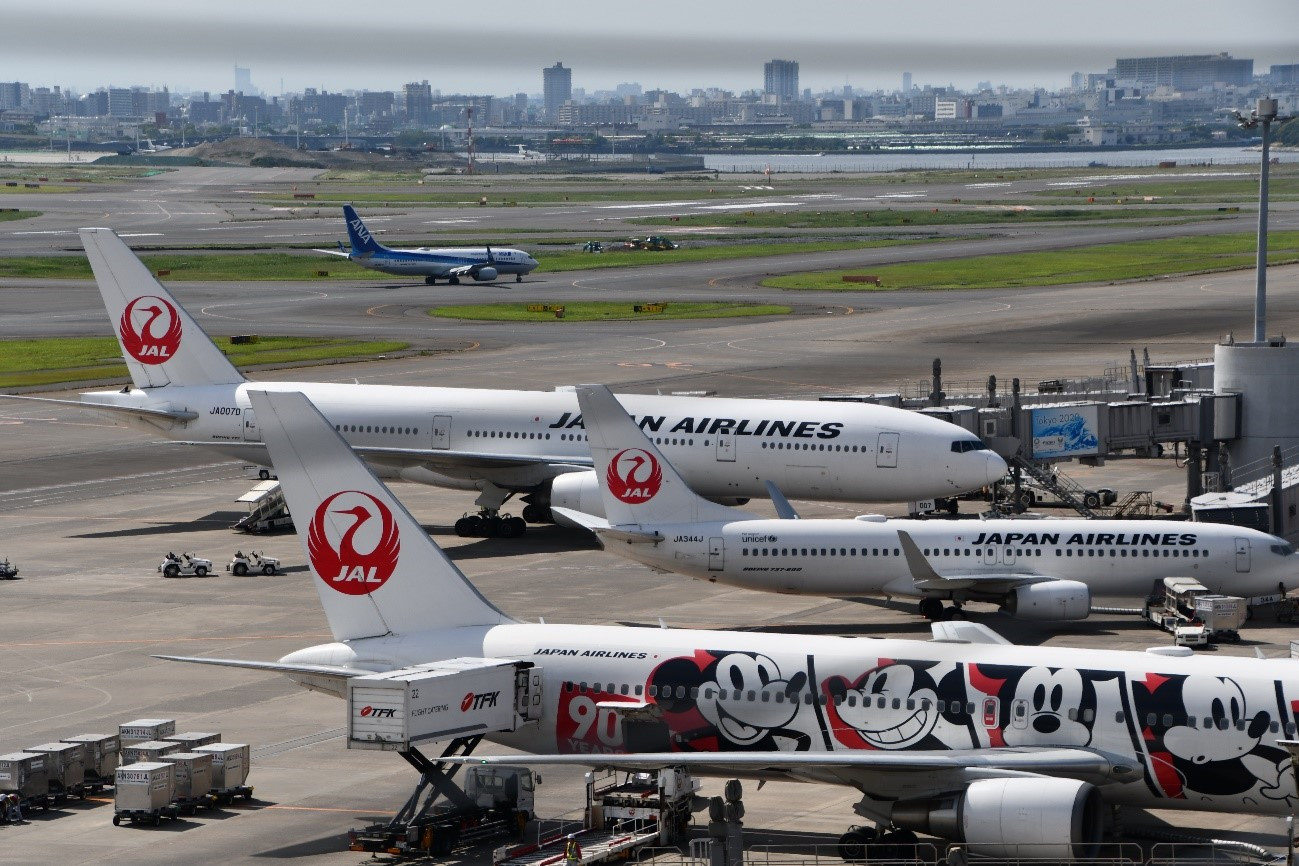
866, 558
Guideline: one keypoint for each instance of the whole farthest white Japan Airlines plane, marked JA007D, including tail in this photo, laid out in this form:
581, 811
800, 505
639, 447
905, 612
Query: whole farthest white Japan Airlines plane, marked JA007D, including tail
531, 443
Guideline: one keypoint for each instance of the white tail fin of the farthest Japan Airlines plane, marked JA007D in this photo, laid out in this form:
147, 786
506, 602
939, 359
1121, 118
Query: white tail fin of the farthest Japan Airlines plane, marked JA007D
160, 341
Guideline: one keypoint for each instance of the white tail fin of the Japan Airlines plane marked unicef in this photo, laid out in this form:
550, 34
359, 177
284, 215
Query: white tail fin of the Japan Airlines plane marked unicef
637, 482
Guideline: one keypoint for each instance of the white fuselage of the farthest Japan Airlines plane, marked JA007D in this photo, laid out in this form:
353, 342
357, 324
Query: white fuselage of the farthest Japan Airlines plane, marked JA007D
727, 447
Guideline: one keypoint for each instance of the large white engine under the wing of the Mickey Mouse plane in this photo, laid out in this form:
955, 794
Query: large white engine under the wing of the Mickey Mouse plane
1042, 820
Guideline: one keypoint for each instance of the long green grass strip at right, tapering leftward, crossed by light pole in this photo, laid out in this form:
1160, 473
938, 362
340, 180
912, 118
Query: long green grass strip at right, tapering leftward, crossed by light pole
1106, 263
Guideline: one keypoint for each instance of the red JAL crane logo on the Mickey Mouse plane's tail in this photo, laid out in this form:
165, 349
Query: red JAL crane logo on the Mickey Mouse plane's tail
354, 543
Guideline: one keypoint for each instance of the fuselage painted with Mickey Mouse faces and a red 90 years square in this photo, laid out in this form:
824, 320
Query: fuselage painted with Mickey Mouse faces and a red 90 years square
1181, 733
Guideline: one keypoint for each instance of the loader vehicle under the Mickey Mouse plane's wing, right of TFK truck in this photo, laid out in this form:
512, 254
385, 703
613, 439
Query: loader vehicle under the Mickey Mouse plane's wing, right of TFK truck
625, 812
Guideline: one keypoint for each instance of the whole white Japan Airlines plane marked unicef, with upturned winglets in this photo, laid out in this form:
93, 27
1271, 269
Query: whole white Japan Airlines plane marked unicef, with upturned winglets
1035, 569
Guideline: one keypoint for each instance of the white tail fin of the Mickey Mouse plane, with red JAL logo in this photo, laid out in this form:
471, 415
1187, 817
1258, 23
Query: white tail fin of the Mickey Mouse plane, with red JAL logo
376, 569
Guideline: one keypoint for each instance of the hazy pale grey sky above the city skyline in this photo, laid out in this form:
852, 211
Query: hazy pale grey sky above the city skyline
501, 47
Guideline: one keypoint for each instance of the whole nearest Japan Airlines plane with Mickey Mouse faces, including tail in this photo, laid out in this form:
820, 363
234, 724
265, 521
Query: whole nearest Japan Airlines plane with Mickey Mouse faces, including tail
965, 738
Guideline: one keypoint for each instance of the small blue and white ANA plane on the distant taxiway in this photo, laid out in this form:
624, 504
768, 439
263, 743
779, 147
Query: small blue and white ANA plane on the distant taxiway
483, 264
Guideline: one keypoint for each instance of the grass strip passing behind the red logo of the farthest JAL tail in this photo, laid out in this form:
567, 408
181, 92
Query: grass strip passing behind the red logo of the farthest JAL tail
53, 362
